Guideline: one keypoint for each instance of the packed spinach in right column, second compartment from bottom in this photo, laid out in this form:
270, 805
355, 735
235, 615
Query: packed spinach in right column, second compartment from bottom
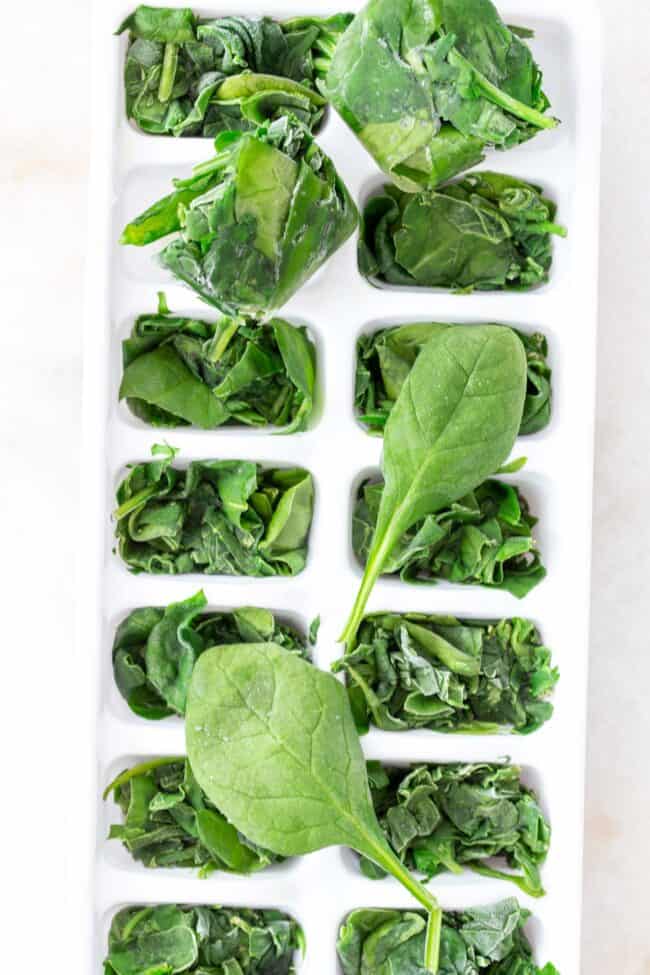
441, 818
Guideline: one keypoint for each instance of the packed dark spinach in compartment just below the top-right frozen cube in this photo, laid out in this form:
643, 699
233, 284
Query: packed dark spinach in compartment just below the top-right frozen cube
485, 232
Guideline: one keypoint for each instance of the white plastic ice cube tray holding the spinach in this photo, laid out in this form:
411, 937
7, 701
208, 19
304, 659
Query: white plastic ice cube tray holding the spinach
131, 170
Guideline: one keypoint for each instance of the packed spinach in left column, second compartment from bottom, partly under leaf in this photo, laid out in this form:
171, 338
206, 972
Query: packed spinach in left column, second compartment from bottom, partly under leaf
170, 822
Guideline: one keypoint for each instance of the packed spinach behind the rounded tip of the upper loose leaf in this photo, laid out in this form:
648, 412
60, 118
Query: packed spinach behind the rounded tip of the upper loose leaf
385, 358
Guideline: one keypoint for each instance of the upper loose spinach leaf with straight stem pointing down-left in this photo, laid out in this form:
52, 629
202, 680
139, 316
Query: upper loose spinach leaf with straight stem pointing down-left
453, 424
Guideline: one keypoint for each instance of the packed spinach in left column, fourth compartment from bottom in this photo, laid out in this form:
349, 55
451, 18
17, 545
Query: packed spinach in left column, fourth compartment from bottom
218, 517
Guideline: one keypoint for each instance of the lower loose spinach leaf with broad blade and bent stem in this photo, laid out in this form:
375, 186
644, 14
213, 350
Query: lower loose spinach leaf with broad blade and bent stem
272, 742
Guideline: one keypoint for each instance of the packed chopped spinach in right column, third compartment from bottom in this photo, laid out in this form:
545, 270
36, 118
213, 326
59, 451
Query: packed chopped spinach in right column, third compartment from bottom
413, 670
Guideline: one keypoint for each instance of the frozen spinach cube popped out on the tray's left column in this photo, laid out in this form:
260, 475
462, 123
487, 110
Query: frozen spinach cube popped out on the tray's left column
254, 222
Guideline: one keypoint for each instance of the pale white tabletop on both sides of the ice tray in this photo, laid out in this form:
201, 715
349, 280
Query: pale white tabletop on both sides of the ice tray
43, 168
